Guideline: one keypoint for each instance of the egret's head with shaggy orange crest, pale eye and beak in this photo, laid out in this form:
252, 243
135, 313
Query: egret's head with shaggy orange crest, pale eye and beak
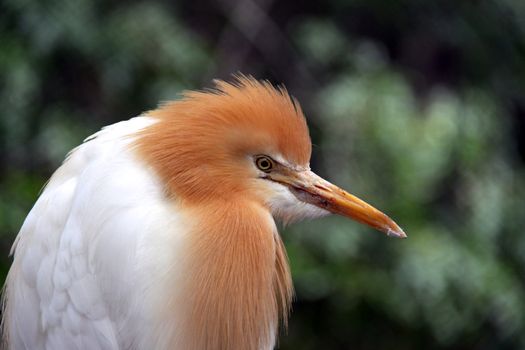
247, 140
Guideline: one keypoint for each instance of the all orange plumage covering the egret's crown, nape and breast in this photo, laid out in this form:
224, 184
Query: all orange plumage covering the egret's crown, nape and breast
240, 285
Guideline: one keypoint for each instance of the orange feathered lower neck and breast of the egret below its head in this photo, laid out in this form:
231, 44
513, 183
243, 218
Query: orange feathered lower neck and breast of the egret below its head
240, 285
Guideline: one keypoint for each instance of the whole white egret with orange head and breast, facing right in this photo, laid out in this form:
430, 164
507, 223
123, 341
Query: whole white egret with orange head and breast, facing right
161, 232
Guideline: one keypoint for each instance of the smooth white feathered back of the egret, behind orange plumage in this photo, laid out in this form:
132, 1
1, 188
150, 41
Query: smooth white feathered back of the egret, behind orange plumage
83, 249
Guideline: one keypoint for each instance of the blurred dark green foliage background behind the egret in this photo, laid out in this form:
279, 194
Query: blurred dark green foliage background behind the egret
416, 106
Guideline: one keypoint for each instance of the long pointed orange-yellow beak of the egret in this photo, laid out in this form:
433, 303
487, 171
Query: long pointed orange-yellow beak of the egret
310, 188
